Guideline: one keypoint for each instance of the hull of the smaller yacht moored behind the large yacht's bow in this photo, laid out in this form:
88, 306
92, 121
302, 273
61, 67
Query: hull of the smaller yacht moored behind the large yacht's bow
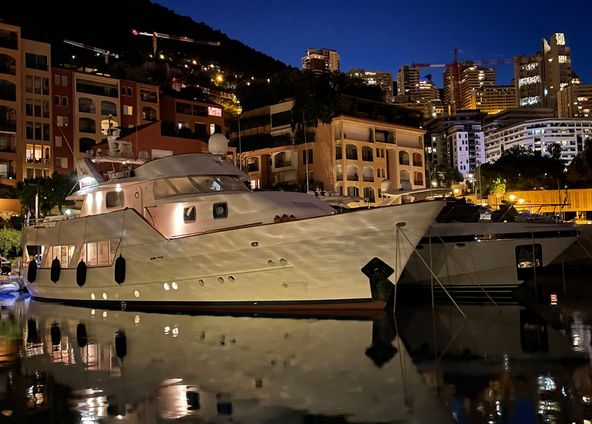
472, 255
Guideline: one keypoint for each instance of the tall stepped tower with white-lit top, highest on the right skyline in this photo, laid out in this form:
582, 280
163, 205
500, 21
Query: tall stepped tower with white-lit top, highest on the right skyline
539, 78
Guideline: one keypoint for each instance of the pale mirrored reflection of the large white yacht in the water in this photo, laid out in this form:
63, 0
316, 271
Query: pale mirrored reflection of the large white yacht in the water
142, 367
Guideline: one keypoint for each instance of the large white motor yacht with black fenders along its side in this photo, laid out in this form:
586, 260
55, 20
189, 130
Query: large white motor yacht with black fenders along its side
185, 232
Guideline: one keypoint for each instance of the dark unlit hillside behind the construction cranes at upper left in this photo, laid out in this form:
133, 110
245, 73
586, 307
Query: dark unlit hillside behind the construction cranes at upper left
108, 25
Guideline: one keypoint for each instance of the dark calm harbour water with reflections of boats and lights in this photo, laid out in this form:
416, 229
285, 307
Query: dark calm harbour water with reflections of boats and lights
526, 362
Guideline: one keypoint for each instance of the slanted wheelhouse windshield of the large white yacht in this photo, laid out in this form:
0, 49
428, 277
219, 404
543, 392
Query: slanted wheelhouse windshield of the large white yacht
182, 186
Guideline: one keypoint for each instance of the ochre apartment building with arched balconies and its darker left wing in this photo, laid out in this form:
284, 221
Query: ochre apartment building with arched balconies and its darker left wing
349, 156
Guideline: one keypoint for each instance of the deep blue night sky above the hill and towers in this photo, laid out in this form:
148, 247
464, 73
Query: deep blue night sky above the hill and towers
383, 34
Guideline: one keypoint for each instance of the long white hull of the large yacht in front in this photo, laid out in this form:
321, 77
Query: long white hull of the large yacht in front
312, 263
